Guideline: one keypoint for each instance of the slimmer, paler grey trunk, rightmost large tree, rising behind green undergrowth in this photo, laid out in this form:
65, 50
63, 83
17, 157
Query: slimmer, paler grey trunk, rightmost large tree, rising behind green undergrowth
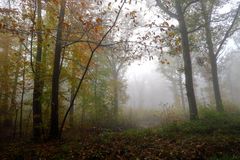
213, 60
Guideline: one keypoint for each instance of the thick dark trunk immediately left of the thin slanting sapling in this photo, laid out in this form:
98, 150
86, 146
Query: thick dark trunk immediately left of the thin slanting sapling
54, 128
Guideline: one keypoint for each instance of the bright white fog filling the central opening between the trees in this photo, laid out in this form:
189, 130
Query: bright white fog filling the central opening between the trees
147, 87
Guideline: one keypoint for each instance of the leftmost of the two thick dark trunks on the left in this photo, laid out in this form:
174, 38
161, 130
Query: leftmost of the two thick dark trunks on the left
38, 84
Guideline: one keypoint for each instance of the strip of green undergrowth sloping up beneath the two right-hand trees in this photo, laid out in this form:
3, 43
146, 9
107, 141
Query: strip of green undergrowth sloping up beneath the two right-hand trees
210, 122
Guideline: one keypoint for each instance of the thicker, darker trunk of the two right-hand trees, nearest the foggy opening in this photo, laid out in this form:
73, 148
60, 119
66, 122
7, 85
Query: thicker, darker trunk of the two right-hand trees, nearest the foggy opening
187, 62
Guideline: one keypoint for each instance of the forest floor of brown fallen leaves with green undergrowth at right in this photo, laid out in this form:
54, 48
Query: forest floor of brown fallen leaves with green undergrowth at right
212, 137
